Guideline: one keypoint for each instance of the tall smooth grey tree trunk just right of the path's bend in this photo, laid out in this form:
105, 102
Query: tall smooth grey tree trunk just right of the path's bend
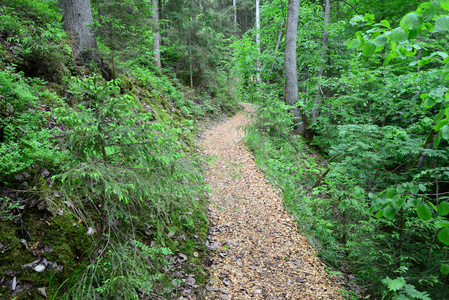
291, 71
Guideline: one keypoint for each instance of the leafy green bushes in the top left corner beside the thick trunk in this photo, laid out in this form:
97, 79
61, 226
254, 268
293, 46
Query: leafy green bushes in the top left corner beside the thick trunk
35, 30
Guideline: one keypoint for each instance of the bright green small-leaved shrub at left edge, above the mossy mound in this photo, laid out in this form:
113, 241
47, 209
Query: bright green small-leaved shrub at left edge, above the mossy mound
25, 141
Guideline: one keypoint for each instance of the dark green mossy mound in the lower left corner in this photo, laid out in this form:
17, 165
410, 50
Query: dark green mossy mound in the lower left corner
71, 247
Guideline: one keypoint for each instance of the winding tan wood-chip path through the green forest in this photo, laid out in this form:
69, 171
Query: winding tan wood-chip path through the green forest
259, 253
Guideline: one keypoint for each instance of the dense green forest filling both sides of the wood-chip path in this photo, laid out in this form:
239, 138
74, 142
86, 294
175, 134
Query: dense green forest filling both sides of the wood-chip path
100, 180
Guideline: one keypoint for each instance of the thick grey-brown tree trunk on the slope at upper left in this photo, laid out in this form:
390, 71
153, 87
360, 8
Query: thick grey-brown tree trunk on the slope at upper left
78, 14
